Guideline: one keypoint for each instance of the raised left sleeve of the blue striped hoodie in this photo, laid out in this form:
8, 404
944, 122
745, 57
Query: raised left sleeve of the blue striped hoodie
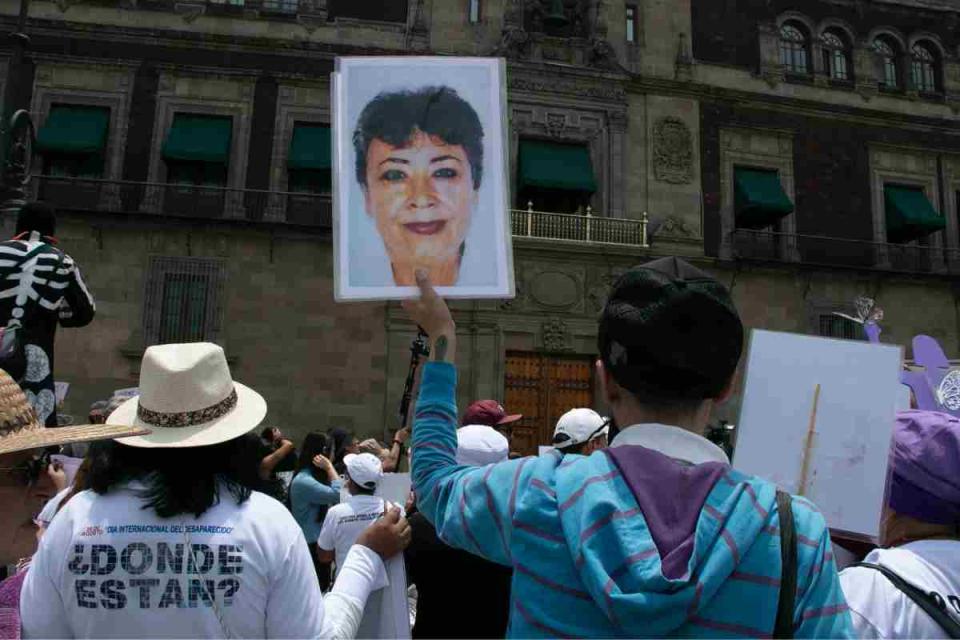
471, 507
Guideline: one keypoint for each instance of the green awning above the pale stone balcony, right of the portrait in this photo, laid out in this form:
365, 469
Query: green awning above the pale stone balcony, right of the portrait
550, 165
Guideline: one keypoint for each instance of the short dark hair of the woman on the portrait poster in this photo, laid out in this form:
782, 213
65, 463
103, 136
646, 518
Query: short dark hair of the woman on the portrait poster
395, 117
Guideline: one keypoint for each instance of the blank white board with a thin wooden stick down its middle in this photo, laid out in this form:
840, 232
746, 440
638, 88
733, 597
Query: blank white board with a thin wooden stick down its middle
849, 444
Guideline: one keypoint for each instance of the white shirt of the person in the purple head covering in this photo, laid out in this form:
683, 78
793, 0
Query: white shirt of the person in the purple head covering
880, 610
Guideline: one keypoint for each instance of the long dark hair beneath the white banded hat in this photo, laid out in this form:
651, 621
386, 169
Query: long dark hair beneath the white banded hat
184, 480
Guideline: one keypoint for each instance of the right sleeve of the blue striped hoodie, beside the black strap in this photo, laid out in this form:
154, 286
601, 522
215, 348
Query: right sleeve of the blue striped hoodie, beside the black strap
821, 609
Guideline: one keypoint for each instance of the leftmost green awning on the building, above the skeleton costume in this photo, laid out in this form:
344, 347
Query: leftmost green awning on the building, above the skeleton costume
73, 129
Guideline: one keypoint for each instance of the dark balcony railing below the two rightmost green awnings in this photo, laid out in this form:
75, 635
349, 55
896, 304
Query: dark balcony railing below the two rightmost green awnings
842, 252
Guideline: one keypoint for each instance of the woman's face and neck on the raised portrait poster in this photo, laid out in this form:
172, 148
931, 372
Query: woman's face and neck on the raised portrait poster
421, 197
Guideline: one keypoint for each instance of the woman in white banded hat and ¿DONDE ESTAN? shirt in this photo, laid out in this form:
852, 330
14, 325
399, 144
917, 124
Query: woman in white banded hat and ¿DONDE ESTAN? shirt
173, 540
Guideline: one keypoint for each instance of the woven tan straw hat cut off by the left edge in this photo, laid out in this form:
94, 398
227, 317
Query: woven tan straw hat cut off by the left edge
20, 429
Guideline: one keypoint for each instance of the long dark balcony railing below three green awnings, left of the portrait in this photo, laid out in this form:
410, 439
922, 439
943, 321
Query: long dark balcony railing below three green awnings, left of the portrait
187, 201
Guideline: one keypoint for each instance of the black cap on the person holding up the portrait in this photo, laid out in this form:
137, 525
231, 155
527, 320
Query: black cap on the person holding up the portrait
670, 332
